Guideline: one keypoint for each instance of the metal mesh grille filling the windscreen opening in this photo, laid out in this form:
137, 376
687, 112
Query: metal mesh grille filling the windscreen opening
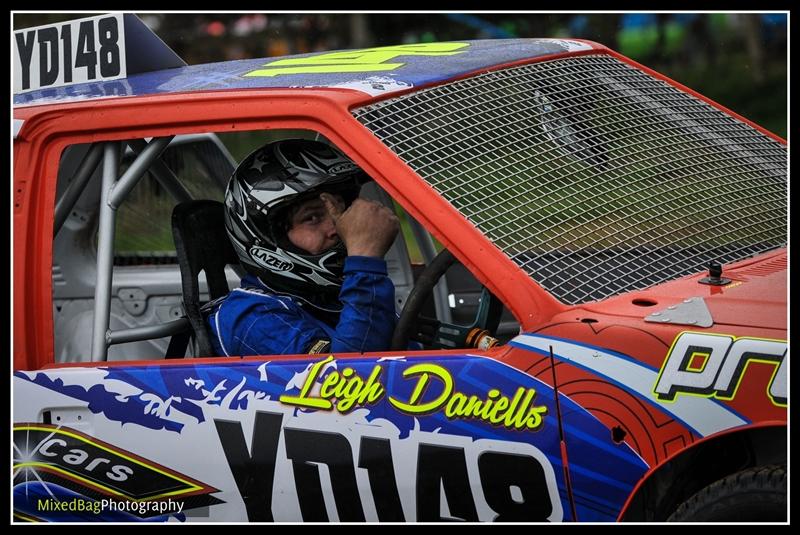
594, 177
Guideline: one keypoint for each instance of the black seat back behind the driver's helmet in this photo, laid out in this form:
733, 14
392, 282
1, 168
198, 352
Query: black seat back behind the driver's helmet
198, 228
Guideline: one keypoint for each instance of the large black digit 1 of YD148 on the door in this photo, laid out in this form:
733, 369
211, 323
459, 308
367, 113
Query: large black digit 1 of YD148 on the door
375, 454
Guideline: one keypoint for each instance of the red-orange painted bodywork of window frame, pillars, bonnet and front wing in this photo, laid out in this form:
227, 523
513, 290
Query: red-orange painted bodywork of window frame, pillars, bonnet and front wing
753, 306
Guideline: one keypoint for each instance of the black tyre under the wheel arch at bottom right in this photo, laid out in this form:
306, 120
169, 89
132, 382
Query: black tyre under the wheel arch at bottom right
753, 495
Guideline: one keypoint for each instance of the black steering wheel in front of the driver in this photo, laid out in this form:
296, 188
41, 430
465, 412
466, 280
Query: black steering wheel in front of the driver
437, 334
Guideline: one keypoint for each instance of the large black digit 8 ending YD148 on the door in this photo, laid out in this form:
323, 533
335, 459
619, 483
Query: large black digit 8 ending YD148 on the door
501, 471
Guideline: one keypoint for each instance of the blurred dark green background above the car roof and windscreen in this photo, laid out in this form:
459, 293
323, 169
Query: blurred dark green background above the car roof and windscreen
737, 59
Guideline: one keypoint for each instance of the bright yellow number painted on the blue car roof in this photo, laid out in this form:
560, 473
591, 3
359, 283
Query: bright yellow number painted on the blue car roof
364, 60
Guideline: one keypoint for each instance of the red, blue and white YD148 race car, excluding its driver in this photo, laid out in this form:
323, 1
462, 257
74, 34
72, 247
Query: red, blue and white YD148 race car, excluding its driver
592, 269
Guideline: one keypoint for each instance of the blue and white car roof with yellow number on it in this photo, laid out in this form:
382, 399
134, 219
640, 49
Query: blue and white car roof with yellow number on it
375, 71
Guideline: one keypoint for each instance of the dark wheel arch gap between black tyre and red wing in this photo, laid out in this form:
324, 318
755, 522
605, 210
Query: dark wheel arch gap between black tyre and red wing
678, 478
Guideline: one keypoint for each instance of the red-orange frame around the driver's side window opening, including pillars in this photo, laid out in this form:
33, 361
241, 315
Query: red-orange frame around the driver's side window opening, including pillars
48, 130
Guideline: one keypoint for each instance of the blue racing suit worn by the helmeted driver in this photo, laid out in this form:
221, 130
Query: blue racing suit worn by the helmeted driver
252, 320
